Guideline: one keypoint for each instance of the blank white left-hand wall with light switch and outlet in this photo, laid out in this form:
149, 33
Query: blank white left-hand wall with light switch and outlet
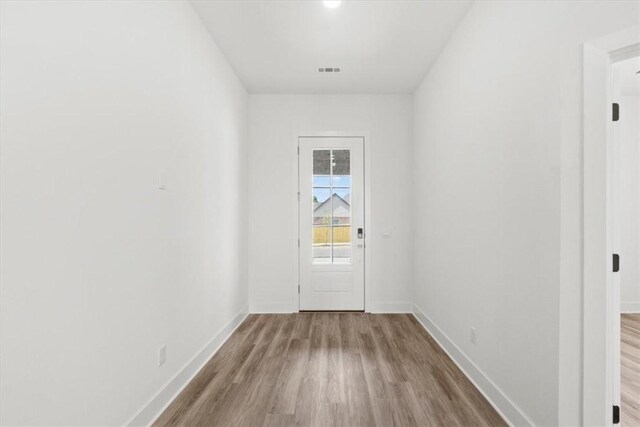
99, 267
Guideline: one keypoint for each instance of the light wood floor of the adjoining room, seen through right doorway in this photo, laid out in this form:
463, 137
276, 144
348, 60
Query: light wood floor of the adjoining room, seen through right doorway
630, 370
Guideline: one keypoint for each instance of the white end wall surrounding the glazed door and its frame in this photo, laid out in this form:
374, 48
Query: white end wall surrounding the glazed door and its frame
274, 122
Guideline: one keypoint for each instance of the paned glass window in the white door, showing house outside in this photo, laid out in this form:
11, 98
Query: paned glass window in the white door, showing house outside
331, 206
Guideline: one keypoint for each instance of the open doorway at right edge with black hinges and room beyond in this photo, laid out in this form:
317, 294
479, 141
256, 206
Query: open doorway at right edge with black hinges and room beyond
625, 78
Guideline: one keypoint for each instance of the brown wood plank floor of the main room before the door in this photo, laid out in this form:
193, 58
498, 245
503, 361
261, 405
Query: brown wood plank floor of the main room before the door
330, 369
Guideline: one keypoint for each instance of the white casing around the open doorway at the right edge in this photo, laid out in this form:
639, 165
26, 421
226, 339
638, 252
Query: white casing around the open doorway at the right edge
598, 296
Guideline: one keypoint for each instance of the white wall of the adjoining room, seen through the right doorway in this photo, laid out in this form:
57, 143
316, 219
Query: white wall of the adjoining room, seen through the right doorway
627, 201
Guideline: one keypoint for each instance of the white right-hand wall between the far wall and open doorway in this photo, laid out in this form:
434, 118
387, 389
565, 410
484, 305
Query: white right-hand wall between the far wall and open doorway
498, 191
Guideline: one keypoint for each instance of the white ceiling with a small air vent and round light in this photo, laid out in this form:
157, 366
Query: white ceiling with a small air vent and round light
379, 46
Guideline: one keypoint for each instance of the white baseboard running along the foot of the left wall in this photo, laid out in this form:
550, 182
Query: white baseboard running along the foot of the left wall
152, 410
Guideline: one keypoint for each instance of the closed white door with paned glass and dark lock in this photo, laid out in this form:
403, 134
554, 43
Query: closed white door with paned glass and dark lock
331, 209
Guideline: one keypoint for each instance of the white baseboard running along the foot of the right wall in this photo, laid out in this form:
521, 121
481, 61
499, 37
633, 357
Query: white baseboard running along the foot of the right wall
501, 403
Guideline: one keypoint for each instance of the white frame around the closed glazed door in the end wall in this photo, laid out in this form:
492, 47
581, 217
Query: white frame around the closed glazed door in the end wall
367, 208
